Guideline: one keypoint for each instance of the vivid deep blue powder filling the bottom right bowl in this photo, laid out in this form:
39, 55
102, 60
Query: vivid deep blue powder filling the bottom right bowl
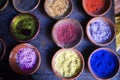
104, 64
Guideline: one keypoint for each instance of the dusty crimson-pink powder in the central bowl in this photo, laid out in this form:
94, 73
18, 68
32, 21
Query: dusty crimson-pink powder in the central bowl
68, 34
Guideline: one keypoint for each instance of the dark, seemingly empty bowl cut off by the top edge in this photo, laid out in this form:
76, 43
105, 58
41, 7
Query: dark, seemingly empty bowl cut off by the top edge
25, 6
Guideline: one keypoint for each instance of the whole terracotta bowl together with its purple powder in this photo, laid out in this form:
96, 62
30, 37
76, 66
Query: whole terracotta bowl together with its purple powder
24, 59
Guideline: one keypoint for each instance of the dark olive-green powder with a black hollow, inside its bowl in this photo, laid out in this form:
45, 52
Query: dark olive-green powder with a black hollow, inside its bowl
24, 27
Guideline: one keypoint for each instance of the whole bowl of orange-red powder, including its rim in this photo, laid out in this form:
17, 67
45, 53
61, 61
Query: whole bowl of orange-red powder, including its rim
94, 9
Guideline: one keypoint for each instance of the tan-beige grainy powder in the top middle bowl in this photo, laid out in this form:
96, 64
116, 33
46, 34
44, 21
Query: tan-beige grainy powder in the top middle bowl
57, 8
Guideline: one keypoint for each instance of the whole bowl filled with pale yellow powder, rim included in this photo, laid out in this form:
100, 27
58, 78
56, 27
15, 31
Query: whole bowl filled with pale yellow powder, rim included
68, 64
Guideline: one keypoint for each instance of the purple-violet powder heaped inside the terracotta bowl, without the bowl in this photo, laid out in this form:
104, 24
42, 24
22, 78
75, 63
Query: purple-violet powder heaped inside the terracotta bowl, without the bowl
26, 59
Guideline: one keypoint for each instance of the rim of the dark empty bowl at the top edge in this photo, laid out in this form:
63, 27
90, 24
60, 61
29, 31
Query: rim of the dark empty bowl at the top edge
28, 11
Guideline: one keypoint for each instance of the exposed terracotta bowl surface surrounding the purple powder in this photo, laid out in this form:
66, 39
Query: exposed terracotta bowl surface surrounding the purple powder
13, 59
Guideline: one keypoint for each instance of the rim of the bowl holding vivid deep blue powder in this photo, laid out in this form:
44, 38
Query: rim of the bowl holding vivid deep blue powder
89, 67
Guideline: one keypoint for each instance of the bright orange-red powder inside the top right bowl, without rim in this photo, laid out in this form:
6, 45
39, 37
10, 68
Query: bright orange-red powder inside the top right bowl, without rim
95, 6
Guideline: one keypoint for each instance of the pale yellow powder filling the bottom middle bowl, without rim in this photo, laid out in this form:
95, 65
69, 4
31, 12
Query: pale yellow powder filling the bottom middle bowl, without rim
68, 63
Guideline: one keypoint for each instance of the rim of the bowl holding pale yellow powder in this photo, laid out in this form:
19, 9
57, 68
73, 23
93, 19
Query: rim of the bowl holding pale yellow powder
79, 54
